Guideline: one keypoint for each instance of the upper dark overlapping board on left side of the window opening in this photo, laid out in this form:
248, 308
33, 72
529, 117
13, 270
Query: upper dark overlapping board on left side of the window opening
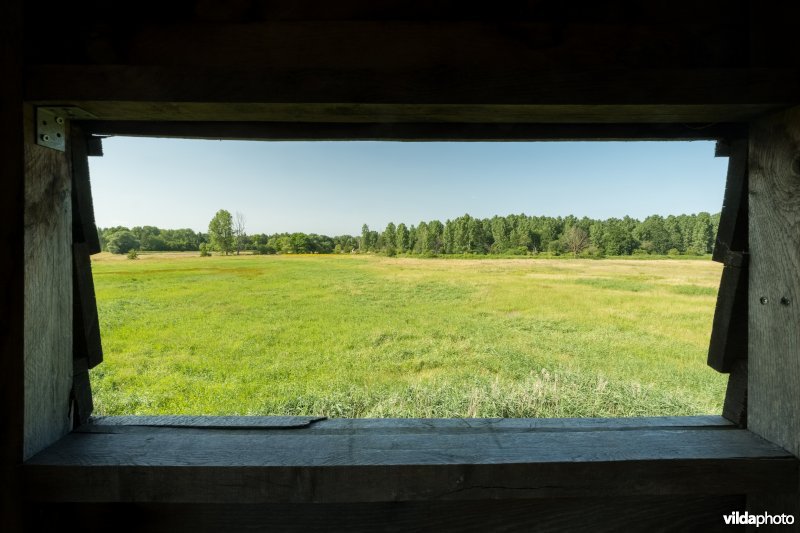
83, 226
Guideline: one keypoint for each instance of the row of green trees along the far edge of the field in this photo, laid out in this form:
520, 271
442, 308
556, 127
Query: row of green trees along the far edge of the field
508, 235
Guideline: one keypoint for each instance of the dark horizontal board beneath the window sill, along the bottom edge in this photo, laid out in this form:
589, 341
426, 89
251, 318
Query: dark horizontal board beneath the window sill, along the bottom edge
674, 513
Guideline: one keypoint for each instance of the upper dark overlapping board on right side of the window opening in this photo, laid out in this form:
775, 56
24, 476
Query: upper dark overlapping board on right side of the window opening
732, 232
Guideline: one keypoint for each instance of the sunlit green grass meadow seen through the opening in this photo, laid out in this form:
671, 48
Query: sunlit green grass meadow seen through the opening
364, 336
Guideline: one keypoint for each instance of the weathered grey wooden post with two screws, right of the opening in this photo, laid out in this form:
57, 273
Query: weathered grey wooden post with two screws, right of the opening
774, 346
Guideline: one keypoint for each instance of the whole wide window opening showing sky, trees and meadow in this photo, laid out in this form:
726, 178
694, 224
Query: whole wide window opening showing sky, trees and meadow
378, 279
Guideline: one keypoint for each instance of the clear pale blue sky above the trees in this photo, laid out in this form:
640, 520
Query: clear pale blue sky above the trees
334, 187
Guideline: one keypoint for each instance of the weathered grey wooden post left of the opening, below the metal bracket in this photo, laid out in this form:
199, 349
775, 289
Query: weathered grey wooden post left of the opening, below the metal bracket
48, 293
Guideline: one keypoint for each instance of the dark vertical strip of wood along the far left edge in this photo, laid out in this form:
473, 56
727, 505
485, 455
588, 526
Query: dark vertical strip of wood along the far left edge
12, 272
